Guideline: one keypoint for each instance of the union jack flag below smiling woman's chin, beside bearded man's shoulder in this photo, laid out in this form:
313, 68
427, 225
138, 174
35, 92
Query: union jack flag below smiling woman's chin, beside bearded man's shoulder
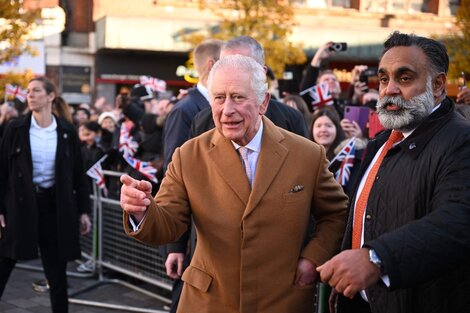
343, 162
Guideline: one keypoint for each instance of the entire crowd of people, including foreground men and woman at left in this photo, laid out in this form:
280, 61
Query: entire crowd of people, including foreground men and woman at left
262, 242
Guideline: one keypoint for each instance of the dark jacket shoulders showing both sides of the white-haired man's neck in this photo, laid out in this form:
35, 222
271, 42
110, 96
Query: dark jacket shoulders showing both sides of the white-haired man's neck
280, 114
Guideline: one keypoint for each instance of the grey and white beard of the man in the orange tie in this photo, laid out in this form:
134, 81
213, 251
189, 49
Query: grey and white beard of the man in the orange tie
410, 113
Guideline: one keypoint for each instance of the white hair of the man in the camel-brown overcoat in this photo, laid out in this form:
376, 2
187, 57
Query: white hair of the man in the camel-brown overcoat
247, 65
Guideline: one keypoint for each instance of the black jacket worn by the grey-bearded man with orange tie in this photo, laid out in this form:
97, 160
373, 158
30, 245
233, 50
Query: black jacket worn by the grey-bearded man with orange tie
418, 218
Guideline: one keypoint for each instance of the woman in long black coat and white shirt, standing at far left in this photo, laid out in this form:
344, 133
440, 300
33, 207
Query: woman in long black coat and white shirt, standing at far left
43, 192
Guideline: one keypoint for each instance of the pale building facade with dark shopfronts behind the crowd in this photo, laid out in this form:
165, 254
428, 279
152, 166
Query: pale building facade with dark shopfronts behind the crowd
95, 47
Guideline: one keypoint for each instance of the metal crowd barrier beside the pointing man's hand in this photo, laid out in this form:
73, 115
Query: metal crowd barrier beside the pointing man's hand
108, 247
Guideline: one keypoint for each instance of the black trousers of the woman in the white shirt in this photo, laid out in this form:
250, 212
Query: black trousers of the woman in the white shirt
54, 268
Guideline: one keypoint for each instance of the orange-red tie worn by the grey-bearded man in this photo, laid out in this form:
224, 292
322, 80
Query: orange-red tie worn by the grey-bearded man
361, 204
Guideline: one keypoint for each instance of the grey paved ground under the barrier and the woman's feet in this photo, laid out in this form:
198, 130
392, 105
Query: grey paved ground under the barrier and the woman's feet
19, 296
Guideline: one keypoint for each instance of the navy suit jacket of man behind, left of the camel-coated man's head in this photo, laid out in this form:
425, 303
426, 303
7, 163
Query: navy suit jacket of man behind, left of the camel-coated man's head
178, 124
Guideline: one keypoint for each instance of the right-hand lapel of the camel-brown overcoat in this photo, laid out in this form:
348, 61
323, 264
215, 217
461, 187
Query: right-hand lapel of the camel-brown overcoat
271, 158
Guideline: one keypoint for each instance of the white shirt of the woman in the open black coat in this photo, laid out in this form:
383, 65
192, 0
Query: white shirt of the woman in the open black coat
43, 143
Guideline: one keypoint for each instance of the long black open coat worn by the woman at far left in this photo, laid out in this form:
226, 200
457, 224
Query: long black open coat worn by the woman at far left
18, 200
